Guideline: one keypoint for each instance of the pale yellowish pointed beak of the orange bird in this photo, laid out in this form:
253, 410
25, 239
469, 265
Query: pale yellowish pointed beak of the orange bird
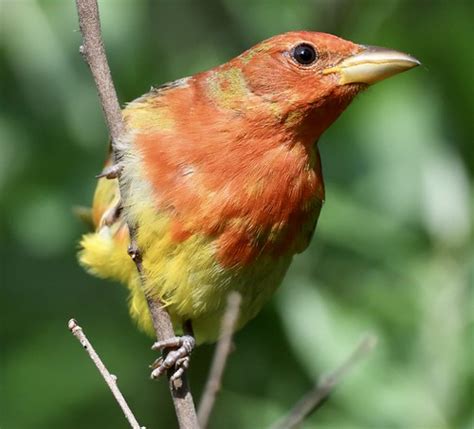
371, 65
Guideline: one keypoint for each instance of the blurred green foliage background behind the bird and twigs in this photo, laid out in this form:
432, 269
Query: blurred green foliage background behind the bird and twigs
392, 255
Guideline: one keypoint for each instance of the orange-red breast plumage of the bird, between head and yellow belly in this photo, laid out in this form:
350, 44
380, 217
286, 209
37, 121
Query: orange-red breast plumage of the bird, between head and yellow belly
239, 183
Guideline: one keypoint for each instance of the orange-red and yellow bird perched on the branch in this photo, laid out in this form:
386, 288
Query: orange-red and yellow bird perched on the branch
224, 180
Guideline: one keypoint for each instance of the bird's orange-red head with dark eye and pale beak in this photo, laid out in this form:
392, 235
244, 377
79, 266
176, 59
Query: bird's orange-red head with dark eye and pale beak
306, 79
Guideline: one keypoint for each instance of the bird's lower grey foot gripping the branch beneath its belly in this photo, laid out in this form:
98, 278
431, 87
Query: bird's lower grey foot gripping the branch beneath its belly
176, 354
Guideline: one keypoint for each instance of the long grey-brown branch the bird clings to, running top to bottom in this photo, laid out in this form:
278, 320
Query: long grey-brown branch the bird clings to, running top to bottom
93, 52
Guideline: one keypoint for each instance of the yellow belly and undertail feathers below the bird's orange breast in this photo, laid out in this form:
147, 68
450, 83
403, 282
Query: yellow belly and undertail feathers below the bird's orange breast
185, 276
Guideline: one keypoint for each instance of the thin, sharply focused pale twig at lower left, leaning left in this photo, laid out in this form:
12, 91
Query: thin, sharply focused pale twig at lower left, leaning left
110, 379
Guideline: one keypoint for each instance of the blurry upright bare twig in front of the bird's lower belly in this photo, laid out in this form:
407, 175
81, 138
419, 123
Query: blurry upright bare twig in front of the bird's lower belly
221, 354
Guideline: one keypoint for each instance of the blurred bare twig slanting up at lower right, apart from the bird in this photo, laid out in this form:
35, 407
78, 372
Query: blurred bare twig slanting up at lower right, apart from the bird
312, 400
